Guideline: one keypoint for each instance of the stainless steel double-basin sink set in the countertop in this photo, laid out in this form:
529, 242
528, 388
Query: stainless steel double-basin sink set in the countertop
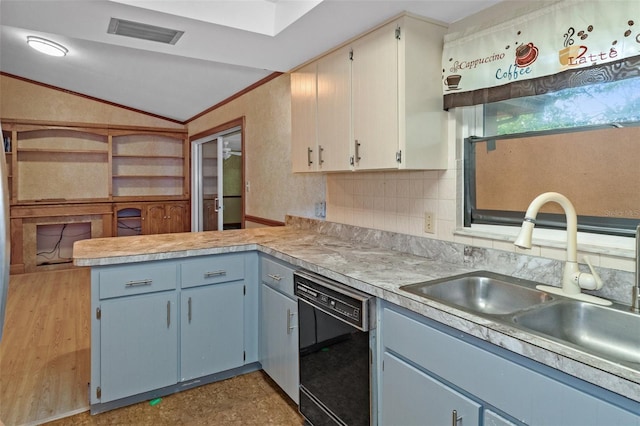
611, 333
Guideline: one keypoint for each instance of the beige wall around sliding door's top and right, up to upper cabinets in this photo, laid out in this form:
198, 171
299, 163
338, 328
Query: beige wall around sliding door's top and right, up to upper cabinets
274, 190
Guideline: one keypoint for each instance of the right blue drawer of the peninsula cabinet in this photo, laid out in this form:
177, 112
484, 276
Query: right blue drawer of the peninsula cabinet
212, 269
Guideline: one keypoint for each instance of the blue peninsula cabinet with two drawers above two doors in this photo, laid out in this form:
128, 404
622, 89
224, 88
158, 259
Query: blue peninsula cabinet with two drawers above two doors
162, 326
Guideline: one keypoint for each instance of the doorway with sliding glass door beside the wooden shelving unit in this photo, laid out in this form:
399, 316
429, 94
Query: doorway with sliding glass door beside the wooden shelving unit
218, 179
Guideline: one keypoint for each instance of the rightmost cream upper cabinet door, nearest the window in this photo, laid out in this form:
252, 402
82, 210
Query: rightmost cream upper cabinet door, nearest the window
375, 99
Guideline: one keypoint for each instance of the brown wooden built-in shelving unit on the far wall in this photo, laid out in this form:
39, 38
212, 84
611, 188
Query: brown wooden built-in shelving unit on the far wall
70, 173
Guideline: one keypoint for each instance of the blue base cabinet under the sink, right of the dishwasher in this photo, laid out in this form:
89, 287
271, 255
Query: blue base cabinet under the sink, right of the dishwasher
429, 370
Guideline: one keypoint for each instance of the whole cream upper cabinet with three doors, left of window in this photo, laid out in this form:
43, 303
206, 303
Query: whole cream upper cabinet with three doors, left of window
378, 103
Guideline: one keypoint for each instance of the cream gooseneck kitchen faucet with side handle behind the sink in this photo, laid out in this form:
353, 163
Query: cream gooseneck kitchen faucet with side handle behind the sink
572, 279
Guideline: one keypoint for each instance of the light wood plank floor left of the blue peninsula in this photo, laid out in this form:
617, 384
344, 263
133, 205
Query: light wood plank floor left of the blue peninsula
44, 353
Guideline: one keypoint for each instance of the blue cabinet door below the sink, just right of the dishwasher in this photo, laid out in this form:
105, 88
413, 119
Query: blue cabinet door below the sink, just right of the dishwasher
411, 397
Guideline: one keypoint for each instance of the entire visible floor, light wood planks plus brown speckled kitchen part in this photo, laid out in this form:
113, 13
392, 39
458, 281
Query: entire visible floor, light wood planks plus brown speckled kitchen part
45, 368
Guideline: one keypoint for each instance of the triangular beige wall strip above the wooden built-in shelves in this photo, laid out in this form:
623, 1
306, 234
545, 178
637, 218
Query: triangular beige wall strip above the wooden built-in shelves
22, 100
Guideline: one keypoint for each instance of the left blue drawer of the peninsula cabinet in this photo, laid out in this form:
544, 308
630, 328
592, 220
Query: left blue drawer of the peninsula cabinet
137, 279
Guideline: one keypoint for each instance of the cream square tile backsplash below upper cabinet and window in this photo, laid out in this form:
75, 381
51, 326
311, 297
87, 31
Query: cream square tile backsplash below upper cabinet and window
397, 201
